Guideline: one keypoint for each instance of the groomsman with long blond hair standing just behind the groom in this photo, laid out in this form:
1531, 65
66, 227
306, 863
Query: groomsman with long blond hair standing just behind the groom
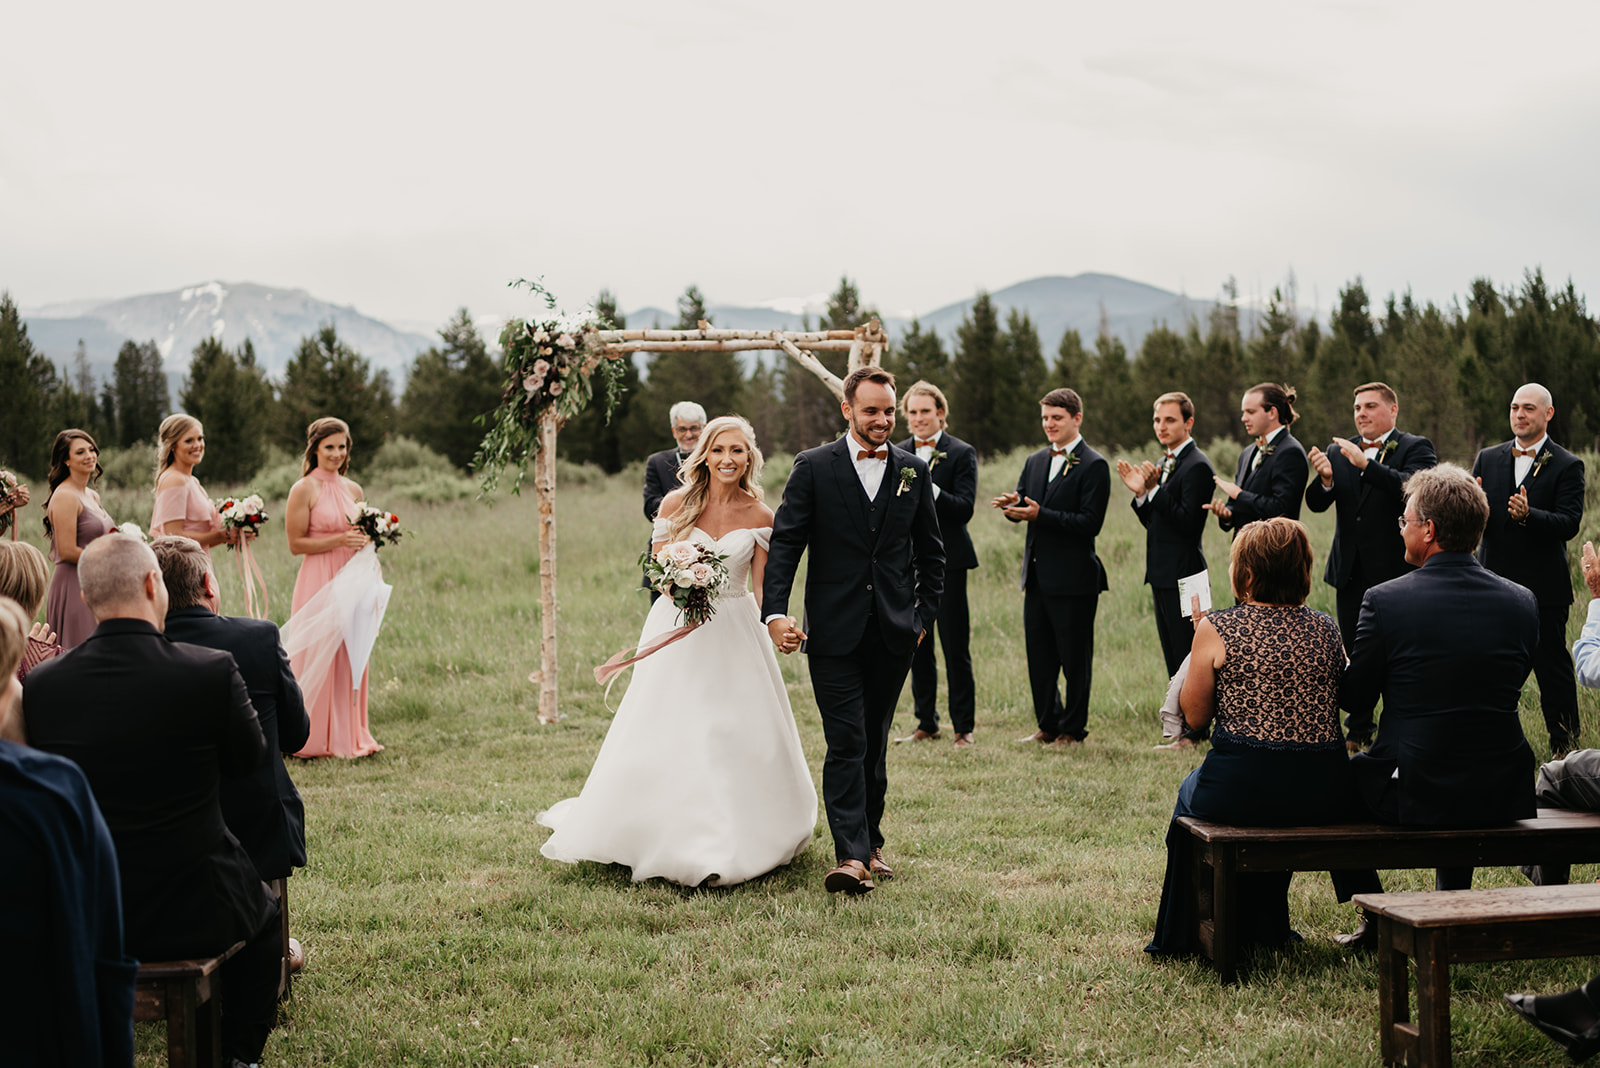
953, 468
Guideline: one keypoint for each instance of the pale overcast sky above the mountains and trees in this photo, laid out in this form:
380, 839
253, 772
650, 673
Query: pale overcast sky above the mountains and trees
414, 157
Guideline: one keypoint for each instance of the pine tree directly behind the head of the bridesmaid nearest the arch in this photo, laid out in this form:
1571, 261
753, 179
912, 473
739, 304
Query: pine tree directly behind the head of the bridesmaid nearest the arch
329, 378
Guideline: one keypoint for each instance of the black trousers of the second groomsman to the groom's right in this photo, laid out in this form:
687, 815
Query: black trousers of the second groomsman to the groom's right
1060, 637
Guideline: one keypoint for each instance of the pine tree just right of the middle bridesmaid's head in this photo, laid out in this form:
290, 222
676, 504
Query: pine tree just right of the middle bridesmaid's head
233, 400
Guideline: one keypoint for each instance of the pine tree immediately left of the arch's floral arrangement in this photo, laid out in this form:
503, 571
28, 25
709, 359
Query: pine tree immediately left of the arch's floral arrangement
449, 389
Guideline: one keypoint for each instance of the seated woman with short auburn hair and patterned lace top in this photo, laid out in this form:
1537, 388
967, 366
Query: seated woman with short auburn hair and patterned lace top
1268, 672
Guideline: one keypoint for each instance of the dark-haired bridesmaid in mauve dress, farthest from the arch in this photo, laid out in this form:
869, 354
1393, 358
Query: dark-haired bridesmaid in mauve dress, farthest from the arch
73, 519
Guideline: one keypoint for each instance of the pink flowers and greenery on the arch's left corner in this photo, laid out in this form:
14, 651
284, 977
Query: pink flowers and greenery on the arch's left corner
548, 370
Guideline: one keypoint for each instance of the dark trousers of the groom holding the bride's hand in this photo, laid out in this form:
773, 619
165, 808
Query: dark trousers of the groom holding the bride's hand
857, 696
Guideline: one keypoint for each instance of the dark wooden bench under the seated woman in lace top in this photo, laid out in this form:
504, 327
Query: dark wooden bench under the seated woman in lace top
1223, 853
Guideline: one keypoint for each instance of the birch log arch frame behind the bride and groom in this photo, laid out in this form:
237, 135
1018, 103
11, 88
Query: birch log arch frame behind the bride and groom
866, 346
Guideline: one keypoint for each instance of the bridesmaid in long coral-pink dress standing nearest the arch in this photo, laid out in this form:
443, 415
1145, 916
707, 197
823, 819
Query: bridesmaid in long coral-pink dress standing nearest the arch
318, 522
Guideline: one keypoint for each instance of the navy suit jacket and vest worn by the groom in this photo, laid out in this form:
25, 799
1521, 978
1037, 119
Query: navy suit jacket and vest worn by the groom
866, 557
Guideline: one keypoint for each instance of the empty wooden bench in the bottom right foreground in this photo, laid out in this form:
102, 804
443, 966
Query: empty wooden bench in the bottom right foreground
1446, 928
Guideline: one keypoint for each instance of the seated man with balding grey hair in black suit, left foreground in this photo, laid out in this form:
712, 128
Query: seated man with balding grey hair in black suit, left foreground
156, 728
